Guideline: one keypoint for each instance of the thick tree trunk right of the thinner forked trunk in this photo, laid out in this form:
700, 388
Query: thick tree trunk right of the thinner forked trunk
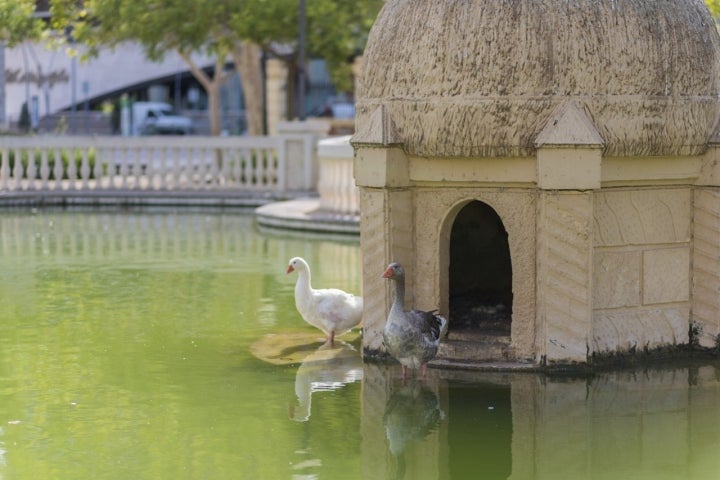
247, 64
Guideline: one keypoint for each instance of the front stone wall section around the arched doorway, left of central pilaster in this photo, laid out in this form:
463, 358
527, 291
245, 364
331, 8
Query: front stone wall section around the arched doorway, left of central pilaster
407, 215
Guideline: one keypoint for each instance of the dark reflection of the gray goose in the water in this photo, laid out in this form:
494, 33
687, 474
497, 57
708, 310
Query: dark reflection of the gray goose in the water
412, 412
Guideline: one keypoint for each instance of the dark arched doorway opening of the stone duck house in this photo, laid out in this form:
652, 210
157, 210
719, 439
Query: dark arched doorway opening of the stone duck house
480, 272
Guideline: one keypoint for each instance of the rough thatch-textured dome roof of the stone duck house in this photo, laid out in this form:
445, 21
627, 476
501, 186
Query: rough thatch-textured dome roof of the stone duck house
482, 78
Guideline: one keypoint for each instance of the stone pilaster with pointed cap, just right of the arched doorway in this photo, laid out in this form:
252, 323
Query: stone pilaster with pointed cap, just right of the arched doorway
569, 159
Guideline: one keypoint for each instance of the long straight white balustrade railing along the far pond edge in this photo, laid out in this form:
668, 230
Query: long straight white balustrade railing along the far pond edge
75, 164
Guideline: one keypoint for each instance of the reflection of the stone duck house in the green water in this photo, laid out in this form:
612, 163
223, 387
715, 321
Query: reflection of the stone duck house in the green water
627, 424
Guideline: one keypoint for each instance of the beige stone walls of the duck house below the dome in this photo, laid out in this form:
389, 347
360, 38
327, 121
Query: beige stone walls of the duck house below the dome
595, 271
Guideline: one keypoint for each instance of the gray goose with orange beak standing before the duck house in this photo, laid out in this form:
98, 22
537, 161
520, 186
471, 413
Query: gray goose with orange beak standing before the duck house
411, 336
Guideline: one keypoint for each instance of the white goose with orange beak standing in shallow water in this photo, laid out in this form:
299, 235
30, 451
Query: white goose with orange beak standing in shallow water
331, 310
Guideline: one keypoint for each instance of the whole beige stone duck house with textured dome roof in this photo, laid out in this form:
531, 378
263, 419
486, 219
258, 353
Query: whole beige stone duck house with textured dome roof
548, 172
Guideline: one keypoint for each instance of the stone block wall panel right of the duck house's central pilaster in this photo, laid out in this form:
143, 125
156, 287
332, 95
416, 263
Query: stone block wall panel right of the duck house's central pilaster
641, 268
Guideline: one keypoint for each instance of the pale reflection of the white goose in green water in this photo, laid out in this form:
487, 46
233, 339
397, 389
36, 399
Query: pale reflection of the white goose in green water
328, 368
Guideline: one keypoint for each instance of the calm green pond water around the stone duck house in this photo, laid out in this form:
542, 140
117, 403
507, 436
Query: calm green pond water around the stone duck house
164, 344
